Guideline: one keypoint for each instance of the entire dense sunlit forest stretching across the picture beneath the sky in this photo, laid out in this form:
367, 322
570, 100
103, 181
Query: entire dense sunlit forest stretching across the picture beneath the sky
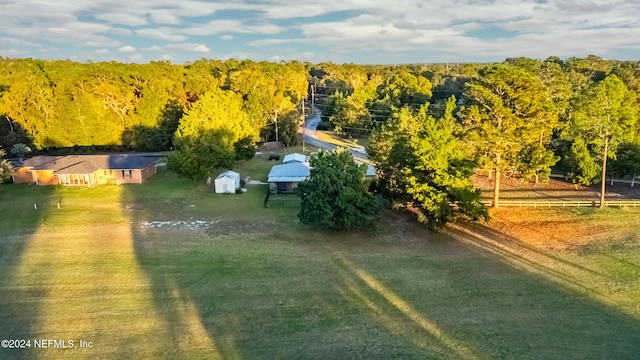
521, 117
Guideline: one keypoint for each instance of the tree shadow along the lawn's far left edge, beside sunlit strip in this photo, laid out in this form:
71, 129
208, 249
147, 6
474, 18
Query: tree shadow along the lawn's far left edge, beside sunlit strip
21, 296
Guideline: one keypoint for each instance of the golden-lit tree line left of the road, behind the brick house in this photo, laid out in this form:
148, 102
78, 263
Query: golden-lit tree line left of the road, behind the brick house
61, 104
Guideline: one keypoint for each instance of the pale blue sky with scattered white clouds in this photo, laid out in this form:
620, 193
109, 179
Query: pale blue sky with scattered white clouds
340, 31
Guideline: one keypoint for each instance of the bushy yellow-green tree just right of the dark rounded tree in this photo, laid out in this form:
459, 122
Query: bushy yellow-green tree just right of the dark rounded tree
422, 165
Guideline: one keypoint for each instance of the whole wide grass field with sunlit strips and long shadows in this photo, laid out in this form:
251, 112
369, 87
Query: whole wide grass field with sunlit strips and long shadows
171, 270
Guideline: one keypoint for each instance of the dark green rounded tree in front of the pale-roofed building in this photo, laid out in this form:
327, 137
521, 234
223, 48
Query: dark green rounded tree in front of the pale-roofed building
336, 195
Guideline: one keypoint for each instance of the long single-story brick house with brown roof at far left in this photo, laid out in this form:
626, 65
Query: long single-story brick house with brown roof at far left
86, 170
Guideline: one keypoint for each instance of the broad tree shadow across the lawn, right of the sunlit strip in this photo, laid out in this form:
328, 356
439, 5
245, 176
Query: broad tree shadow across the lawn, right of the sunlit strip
273, 294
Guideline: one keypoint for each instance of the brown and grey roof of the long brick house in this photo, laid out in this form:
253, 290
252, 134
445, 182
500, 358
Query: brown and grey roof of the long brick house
86, 164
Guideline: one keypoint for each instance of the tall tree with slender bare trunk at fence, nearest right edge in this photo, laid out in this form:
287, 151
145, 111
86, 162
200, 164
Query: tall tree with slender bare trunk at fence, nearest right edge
603, 116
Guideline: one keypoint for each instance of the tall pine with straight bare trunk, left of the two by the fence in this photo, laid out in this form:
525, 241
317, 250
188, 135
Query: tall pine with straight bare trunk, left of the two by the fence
509, 112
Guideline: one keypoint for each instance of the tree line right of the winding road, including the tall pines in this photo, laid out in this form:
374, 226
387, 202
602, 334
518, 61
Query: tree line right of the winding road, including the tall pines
433, 124
